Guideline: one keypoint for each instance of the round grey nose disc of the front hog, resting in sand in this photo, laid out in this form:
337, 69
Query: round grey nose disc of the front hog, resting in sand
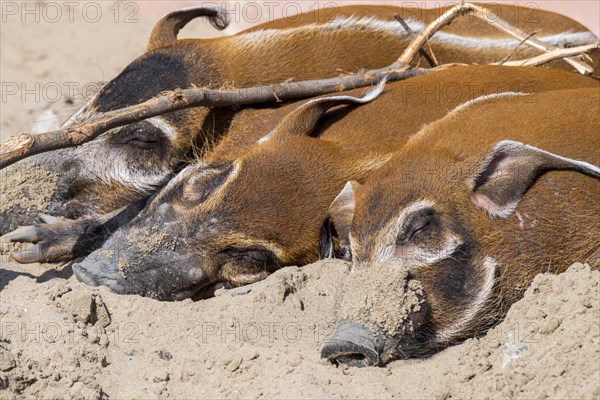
352, 344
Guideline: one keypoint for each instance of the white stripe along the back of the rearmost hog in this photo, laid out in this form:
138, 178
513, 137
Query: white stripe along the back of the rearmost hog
371, 24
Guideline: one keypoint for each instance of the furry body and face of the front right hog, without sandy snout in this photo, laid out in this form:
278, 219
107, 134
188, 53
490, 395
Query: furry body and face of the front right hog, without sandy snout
538, 152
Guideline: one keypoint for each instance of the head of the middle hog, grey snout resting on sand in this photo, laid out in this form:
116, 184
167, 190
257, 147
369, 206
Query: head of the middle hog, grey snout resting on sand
231, 221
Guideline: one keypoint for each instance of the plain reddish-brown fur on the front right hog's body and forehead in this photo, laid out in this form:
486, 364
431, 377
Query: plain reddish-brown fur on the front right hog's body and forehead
554, 225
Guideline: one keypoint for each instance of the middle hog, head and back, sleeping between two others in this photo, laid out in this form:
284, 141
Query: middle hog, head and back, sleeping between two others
238, 214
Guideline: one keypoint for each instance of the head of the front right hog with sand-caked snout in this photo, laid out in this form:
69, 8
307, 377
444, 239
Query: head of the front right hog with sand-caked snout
444, 233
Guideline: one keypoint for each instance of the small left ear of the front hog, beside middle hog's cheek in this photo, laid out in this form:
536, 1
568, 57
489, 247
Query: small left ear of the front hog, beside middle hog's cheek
334, 241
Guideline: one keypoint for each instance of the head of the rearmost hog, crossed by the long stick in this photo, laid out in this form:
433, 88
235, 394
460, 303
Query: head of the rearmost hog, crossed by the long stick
131, 162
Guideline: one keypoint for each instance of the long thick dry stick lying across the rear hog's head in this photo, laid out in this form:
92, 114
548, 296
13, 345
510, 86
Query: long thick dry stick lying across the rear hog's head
27, 145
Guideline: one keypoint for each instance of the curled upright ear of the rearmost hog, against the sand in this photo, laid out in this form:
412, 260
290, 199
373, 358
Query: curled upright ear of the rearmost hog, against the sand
166, 29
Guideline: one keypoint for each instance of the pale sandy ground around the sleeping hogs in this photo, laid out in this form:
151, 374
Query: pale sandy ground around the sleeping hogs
60, 339
